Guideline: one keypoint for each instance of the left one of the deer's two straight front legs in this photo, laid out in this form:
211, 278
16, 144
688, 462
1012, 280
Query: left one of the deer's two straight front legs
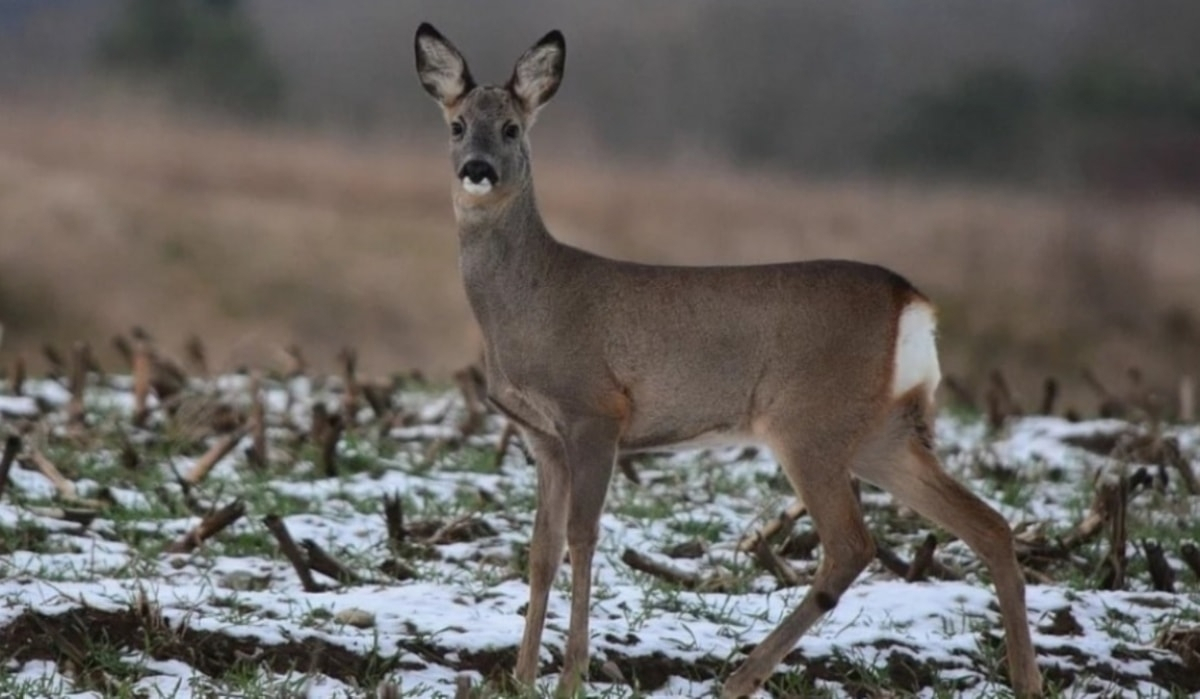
547, 547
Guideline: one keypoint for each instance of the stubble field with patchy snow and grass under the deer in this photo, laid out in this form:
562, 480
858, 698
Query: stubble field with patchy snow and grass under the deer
94, 606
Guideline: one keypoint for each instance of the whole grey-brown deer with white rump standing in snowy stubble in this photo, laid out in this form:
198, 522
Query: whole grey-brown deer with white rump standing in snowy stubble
830, 365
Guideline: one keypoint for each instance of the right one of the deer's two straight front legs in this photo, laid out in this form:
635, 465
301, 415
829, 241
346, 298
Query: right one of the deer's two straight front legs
591, 457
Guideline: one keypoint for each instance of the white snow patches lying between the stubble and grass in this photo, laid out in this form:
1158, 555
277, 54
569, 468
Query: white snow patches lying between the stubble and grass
471, 600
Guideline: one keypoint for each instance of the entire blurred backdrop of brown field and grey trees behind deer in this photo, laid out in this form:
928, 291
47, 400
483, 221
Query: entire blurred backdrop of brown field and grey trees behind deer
267, 172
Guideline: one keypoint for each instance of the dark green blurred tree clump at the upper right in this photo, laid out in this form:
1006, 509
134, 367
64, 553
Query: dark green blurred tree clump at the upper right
1102, 122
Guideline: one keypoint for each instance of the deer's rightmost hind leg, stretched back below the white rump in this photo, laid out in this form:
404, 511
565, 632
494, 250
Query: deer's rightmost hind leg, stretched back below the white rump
917, 480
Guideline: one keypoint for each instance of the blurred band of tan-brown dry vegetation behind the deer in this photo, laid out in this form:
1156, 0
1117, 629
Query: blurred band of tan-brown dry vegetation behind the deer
257, 240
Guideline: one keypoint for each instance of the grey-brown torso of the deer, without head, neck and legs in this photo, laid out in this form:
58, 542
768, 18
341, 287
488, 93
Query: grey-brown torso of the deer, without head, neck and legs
698, 367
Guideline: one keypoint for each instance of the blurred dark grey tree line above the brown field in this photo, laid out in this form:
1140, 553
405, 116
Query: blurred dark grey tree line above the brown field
1094, 92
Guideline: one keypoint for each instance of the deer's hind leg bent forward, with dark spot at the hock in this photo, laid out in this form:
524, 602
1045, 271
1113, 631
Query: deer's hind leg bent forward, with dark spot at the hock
821, 479
